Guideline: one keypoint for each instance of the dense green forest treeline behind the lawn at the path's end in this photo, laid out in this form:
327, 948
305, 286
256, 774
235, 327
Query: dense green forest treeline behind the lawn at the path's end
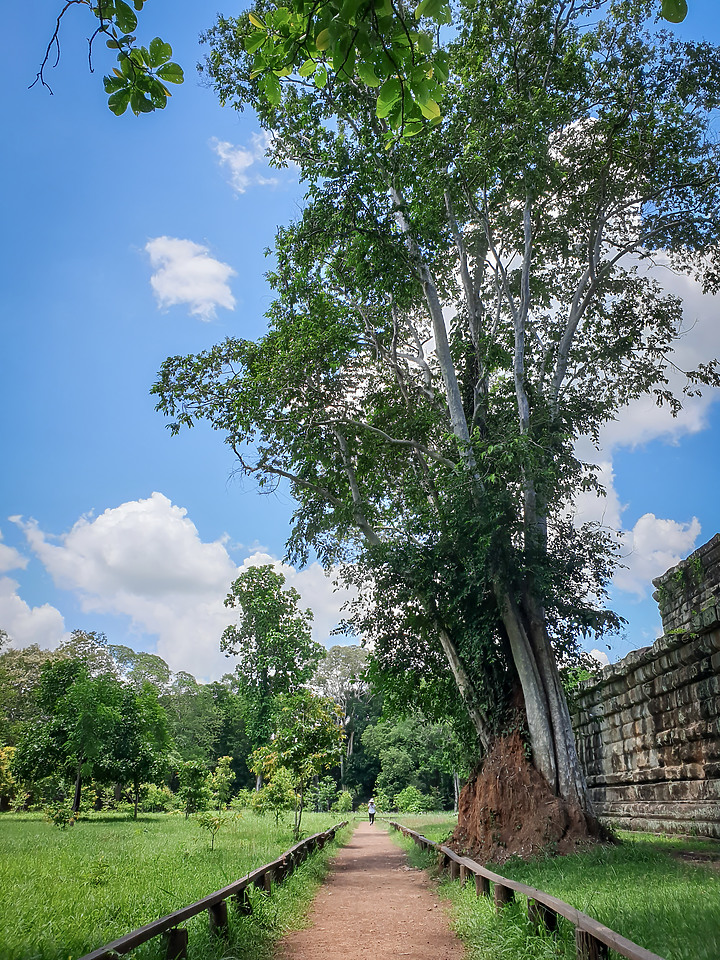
94, 725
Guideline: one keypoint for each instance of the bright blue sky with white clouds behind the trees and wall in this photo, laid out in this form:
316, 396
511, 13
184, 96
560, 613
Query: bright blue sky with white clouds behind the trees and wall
128, 240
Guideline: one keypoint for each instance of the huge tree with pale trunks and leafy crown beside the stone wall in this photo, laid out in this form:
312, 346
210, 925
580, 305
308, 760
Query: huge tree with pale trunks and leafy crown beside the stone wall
453, 311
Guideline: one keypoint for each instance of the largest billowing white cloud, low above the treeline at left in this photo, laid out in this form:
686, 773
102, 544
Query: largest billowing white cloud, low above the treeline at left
145, 560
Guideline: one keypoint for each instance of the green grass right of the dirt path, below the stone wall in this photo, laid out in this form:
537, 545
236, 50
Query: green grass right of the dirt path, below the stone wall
636, 888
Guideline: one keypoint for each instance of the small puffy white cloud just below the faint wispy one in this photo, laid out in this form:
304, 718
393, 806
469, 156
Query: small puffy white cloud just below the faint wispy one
186, 273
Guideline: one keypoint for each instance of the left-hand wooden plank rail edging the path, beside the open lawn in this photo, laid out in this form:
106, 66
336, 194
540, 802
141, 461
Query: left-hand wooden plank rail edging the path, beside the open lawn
137, 937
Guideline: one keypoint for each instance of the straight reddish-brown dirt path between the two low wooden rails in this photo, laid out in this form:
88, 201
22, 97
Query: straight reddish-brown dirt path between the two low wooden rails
373, 906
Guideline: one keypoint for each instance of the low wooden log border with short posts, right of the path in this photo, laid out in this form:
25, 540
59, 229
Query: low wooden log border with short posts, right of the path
592, 939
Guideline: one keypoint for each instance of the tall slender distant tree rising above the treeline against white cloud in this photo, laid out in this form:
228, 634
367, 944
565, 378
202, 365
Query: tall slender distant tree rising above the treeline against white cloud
272, 640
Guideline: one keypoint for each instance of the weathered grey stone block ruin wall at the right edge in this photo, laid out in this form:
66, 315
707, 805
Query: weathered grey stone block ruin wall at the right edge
648, 729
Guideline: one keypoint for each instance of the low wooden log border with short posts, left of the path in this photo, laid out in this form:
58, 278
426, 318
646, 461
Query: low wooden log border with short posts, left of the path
215, 903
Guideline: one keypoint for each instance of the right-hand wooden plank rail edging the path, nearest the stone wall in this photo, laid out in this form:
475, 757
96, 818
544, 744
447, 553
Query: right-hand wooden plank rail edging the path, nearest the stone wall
583, 923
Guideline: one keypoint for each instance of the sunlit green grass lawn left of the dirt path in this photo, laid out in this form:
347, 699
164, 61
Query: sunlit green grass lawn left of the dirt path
65, 893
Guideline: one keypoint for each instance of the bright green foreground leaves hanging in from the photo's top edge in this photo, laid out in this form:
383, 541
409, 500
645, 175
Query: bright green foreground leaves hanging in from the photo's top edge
374, 44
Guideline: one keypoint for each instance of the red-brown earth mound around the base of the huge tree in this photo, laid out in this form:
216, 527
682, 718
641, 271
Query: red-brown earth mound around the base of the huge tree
508, 810
